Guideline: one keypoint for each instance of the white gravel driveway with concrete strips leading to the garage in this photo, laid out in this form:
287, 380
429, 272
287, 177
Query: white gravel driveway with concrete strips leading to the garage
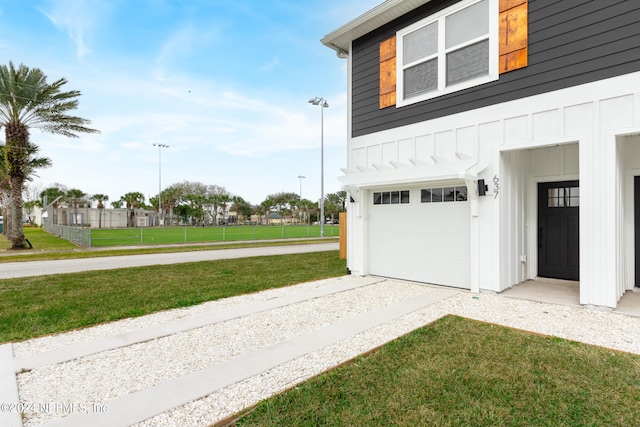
229, 354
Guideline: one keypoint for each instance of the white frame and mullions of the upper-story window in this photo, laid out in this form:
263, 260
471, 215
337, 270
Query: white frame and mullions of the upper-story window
442, 63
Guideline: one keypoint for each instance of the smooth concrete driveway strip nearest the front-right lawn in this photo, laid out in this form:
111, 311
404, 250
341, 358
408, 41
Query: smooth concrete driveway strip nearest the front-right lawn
138, 406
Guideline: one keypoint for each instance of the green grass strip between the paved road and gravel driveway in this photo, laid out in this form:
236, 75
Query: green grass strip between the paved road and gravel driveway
36, 306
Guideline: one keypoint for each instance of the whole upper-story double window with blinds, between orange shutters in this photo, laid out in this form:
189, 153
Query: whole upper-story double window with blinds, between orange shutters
450, 51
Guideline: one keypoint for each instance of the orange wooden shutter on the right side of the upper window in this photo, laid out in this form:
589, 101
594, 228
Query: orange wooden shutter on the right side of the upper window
514, 35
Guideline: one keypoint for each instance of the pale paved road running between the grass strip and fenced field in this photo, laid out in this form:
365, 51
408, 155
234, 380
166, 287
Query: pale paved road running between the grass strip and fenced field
41, 268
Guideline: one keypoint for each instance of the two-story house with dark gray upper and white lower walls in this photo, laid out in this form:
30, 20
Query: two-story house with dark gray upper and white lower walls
495, 141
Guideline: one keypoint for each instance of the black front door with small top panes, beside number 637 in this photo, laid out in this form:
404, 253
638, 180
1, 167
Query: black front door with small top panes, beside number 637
559, 230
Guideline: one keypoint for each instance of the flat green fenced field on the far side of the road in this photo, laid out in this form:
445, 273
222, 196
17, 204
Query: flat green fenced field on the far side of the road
159, 235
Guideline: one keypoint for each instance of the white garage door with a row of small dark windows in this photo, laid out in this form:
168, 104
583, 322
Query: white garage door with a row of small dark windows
421, 241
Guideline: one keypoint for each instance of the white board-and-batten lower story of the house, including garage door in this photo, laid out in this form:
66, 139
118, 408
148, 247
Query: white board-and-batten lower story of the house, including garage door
598, 123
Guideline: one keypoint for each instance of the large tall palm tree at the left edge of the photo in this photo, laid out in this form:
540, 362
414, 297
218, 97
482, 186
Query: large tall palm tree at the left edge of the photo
28, 101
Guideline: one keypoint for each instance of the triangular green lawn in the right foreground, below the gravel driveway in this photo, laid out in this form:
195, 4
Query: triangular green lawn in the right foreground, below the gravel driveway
458, 372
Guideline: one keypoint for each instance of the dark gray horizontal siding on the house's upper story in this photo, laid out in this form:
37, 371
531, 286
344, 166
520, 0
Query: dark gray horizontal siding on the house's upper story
571, 42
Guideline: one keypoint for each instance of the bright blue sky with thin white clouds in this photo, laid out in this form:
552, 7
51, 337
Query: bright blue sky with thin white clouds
224, 83
